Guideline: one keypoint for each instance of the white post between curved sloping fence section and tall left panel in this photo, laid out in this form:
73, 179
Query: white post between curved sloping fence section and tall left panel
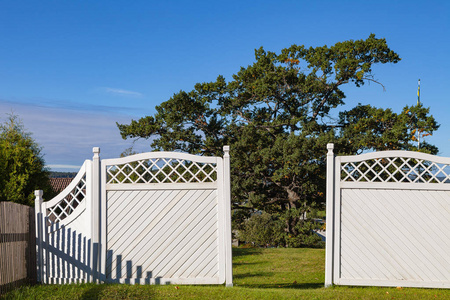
96, 263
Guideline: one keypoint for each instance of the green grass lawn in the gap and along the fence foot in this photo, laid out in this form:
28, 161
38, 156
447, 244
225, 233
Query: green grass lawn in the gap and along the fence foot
258, 274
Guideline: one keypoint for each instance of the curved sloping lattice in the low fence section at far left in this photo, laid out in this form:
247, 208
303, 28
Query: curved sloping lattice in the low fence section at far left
67, 205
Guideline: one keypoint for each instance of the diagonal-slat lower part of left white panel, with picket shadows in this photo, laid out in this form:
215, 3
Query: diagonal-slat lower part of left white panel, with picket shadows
170, 236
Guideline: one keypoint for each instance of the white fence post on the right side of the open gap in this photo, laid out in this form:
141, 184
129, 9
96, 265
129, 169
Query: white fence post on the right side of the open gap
329, 217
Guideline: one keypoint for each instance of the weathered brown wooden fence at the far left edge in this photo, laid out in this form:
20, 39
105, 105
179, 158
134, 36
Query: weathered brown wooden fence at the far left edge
17, 246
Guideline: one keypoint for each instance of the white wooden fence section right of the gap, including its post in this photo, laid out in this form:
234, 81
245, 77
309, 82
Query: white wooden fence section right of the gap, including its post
388, 219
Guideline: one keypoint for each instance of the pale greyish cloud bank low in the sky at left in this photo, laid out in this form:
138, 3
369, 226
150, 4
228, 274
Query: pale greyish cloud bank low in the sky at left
68, 135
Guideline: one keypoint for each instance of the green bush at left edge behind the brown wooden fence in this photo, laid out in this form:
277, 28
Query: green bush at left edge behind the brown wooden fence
22, 168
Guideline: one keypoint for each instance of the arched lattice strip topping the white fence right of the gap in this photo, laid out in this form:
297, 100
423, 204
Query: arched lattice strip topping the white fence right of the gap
395, 169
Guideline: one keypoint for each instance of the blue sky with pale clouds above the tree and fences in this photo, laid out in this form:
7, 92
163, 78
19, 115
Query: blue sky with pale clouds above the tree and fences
71, 69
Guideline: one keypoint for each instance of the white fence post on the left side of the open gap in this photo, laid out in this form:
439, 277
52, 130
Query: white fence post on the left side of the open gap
227, 196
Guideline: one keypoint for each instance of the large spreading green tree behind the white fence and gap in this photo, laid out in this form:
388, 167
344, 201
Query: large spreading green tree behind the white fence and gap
278, 114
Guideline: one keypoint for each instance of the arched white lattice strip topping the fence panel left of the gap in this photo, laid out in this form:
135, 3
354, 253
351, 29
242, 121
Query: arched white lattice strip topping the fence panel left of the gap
162, 170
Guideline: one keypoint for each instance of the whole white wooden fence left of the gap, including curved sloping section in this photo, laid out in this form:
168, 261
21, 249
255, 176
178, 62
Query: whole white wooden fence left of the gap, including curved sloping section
155, 218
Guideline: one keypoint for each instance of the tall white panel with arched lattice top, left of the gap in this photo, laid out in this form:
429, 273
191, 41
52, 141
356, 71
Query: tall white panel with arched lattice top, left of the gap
165, 219
